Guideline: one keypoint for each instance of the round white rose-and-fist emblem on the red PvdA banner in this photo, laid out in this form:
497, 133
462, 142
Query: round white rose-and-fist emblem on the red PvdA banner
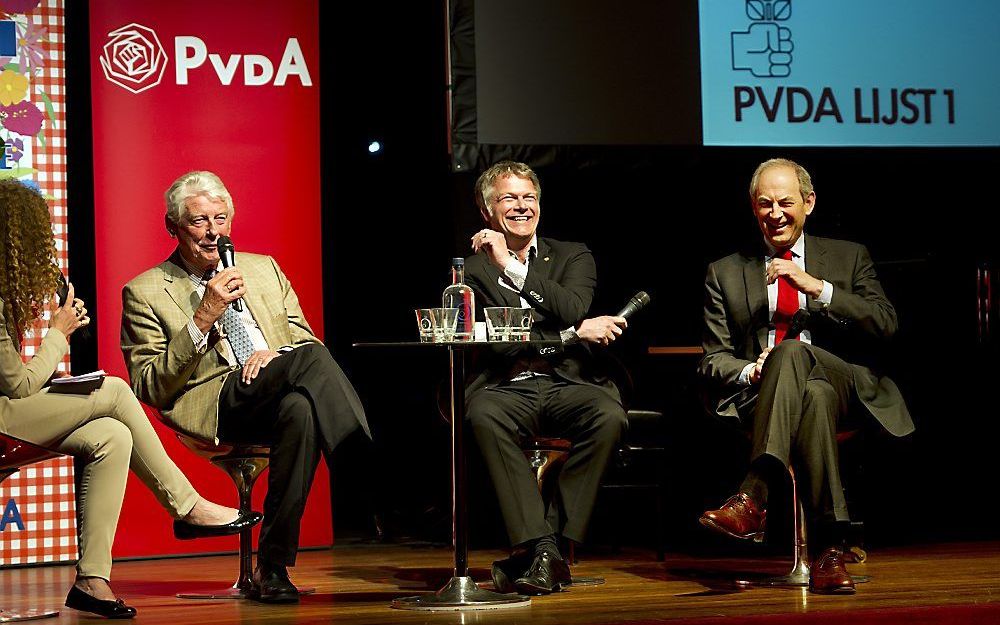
133, 58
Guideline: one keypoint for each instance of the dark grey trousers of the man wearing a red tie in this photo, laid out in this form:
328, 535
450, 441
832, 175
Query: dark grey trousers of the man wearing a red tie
804, 400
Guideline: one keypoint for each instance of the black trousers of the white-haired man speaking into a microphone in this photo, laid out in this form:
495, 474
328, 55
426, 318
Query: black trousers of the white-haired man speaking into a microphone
302, 405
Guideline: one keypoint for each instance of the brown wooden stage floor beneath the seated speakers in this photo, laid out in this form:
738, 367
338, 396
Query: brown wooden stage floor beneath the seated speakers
948, 583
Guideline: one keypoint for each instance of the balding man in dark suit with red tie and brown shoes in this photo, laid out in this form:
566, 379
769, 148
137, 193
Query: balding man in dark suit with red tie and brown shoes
795, 395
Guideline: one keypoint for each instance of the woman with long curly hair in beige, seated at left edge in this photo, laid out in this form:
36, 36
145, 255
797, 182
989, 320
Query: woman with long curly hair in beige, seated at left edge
106, 431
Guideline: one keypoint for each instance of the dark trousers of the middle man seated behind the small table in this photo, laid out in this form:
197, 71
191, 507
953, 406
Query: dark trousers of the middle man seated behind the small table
504, 415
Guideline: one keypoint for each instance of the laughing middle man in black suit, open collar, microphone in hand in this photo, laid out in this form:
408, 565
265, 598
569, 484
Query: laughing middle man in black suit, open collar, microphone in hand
523, 392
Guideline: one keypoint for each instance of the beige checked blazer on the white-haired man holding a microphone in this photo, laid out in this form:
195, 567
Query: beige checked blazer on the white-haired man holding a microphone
166, 370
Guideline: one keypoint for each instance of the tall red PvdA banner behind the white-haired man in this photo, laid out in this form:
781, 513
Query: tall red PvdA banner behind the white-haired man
229, 86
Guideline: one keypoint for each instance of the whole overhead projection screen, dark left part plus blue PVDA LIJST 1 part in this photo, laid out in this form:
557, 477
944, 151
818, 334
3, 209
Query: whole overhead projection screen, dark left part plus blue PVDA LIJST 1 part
728, 72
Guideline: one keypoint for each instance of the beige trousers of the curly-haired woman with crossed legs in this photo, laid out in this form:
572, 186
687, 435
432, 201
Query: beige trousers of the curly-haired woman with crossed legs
107, 432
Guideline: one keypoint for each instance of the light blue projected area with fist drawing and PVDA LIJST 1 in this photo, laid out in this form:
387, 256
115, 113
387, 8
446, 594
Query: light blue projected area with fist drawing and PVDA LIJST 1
850, 72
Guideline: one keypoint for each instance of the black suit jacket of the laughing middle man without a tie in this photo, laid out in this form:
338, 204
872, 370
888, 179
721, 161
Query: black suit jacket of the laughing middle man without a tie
559, 288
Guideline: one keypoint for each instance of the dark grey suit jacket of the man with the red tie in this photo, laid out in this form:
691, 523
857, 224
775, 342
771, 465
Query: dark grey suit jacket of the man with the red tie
855, 326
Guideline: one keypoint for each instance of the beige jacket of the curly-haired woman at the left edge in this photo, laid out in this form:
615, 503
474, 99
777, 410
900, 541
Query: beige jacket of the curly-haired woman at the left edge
19, 380
